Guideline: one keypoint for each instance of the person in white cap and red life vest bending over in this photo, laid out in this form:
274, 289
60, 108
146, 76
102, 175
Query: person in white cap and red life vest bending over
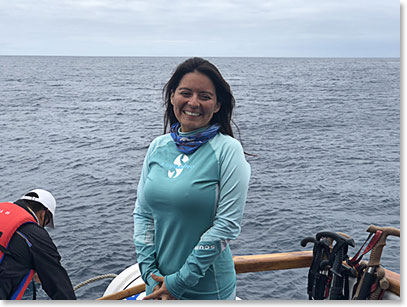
27, 249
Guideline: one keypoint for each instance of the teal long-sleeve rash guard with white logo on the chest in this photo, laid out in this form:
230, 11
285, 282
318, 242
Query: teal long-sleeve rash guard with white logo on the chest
188, 208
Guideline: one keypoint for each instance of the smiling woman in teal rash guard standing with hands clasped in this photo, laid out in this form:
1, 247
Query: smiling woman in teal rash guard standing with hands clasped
192, 191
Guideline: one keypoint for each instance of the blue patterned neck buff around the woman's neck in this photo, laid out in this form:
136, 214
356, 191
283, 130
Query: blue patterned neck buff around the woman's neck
187, 144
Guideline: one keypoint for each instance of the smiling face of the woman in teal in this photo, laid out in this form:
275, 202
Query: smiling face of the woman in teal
194, 101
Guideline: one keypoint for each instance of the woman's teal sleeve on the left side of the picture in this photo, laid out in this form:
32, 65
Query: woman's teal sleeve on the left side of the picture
144, 232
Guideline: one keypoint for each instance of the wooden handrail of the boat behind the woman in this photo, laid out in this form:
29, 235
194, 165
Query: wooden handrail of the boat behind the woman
265, 262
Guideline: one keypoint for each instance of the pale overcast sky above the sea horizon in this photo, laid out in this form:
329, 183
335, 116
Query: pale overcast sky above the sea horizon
275, 28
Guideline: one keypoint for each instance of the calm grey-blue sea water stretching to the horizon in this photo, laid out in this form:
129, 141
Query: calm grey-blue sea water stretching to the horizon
325, 132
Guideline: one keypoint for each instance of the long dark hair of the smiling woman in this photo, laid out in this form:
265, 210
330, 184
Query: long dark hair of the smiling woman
224, 94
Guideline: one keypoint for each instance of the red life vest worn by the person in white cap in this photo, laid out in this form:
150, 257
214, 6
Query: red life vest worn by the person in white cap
12, 217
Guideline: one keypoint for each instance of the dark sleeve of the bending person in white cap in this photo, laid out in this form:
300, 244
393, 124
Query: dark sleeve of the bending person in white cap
46, 262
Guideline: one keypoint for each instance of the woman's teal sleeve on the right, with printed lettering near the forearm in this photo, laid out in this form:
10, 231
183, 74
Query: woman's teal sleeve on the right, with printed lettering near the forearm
233, 185
